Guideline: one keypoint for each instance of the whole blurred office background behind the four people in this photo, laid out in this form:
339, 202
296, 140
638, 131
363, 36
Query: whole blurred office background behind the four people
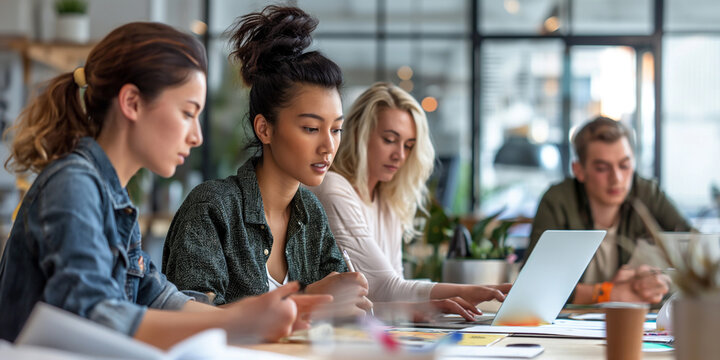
504, 83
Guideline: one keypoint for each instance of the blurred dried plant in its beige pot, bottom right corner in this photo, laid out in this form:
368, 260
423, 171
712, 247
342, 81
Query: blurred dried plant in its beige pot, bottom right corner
695, 313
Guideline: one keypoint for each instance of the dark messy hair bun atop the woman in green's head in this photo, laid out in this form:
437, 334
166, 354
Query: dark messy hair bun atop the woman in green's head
265, 40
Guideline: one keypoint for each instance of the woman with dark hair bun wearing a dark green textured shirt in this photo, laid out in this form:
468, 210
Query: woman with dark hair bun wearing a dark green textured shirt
254, 231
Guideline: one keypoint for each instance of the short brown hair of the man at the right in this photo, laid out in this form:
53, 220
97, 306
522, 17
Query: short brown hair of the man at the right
602, 129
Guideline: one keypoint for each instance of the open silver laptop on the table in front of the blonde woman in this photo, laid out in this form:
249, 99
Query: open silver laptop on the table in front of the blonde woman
544, 283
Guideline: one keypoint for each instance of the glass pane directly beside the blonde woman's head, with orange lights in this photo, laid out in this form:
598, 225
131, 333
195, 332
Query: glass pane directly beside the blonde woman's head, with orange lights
436, 73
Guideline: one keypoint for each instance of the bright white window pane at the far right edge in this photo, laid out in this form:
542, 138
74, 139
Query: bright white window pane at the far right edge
690, 110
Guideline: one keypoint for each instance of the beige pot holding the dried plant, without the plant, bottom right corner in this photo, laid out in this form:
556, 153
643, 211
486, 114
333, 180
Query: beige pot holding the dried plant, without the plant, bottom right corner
696, 325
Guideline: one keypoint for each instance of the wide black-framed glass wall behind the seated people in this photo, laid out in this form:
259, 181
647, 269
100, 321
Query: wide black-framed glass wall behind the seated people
508, 75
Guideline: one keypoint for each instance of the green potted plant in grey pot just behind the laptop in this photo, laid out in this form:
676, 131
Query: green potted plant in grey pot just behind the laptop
487, 259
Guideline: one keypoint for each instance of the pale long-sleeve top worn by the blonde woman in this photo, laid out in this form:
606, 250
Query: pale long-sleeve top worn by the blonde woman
372, 236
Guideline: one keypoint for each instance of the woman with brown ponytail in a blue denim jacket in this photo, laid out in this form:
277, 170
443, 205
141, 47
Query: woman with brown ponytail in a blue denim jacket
76, 243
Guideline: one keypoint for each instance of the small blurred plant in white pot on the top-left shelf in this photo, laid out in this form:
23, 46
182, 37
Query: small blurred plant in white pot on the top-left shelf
73, 23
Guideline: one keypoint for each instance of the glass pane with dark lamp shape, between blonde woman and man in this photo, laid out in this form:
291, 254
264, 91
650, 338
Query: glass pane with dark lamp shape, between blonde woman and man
521, 123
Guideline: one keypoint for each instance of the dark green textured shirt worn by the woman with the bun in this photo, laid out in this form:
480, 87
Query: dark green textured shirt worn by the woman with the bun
219, 240
